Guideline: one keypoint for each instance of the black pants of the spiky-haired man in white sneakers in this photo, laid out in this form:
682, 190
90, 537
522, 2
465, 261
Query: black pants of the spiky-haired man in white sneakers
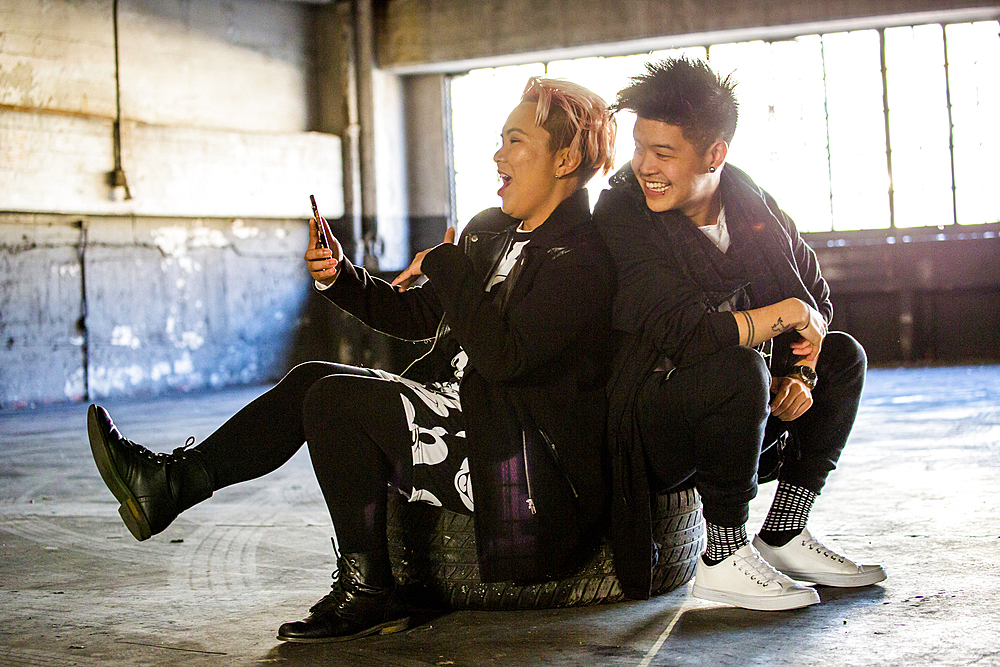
708, 420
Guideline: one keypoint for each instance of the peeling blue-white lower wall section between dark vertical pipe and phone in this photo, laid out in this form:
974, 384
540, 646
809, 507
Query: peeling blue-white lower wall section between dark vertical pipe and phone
178, 303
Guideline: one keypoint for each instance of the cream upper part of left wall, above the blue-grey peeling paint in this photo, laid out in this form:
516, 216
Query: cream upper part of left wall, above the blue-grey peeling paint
215, 109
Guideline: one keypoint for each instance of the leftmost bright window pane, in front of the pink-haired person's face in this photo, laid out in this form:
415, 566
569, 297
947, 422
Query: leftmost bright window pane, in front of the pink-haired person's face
481, 101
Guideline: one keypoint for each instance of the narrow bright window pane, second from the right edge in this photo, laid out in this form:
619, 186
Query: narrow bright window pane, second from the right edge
918, 126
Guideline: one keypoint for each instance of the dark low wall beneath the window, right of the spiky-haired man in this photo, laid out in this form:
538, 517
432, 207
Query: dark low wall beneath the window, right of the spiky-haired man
920, 299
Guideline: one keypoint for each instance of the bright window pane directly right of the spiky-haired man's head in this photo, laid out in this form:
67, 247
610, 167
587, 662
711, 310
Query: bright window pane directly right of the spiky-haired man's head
781, 136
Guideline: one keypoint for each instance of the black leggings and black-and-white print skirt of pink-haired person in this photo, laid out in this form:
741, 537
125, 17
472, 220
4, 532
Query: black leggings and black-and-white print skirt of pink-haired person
362, 437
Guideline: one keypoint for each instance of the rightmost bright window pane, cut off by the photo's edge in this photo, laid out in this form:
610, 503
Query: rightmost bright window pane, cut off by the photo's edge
973, 70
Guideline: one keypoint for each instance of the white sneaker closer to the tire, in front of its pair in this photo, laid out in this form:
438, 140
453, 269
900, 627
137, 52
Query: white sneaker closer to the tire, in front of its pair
746, 580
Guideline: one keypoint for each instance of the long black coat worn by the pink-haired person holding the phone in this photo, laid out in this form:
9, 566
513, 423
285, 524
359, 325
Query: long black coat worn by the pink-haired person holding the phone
533, 390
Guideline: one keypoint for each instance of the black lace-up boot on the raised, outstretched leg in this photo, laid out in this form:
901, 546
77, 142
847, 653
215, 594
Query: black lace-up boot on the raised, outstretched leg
152, 488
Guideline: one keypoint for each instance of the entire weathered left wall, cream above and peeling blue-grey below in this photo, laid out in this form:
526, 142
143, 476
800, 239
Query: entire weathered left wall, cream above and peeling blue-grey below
197, 280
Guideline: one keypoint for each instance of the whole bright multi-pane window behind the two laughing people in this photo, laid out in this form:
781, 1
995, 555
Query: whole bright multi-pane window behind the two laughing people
889, 129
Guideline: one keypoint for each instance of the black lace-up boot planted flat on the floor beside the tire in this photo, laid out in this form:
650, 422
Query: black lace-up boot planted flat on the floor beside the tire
364, 601
